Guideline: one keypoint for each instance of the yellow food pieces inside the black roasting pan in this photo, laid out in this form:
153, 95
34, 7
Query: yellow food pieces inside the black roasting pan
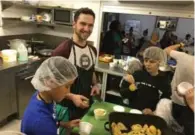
136, 129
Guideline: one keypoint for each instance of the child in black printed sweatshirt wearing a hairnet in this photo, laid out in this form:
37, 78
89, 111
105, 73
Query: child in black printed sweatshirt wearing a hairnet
144, 88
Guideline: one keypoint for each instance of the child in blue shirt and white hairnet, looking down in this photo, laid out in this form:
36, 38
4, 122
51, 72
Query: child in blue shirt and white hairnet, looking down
52, 80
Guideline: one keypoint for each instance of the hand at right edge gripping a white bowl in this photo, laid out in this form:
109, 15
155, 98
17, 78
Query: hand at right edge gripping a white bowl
189, 96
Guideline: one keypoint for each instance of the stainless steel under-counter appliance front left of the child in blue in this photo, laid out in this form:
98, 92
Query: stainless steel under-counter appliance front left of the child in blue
24, 88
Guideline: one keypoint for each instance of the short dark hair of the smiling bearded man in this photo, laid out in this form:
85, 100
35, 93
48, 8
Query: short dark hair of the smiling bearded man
86, 11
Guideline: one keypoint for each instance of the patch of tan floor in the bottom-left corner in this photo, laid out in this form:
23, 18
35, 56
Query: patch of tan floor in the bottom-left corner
14, 125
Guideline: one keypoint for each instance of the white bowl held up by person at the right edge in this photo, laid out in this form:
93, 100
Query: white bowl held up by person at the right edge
184, 87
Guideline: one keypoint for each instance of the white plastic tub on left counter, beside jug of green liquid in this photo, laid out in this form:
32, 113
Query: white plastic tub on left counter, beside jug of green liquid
9, 55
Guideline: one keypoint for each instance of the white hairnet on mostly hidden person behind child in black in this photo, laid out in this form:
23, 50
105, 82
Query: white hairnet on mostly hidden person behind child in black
134, 65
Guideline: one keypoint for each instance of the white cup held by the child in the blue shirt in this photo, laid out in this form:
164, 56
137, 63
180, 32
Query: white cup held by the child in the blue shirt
85, 128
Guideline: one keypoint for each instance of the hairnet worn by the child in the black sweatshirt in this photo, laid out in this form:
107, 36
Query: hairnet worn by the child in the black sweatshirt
156, 53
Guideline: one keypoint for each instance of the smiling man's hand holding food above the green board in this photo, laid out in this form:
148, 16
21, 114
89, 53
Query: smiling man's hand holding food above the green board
78, 101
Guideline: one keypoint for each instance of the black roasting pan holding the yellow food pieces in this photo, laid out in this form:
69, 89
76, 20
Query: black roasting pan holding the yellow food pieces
129, 119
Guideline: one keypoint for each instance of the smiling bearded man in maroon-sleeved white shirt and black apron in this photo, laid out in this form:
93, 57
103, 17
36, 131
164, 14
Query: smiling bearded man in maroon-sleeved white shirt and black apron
83, 55
